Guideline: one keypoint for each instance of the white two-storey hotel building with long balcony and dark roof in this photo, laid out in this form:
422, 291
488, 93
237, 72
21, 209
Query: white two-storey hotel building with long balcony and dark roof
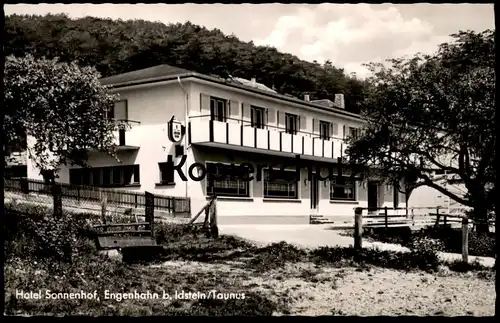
231, 122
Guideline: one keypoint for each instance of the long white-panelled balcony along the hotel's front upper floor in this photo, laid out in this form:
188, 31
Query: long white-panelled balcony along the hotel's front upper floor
239, 135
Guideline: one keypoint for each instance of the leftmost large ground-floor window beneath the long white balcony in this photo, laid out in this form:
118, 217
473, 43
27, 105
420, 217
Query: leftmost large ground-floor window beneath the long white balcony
224, 180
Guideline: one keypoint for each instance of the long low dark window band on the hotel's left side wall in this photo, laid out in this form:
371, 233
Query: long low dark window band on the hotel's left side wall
105, 176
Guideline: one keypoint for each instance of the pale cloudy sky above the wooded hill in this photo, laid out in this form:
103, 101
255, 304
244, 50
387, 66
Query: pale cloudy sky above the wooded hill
346, 34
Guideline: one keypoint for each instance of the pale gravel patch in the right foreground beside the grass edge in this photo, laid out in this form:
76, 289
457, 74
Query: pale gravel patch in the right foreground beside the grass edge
310, 290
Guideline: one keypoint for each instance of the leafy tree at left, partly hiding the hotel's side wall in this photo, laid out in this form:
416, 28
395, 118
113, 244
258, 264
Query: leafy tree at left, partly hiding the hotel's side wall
61, 106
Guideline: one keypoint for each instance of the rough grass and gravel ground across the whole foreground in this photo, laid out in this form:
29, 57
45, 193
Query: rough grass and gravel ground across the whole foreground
279, 279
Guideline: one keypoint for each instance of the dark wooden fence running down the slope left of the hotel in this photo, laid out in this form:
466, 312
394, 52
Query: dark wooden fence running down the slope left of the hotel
94, 194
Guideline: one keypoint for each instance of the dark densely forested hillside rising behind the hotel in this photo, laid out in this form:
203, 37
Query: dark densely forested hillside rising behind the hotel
116, 46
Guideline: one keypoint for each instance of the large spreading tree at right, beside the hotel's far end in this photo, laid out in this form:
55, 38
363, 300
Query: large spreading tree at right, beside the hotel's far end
436, 112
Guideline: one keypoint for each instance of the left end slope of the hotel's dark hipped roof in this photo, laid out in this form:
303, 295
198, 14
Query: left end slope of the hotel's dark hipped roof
147, 73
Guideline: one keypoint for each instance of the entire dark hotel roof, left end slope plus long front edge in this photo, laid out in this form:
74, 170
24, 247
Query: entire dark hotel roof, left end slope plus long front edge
166, 72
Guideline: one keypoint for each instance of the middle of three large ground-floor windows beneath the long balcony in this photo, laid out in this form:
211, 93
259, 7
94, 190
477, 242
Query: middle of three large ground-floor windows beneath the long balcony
280, 184
